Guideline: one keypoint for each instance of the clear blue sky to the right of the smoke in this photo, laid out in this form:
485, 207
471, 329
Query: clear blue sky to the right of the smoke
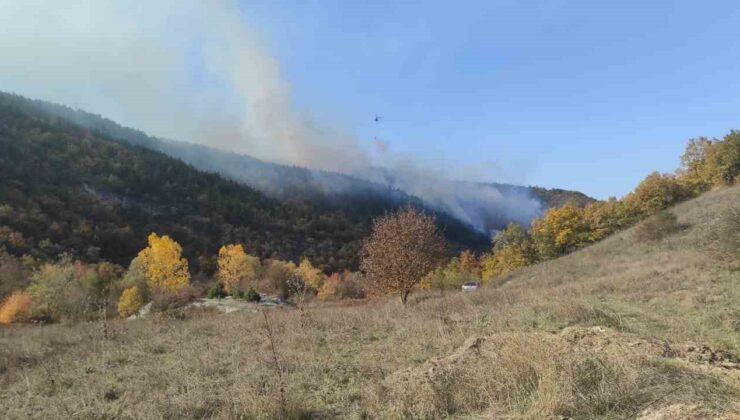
586, 95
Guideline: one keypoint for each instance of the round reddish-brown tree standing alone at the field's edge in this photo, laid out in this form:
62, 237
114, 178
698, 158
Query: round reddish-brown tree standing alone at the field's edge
403, 247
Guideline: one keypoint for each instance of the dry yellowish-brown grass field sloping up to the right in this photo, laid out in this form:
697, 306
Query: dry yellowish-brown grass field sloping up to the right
621, 329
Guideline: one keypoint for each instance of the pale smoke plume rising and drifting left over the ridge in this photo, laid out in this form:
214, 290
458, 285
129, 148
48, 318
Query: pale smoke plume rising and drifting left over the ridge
195, 71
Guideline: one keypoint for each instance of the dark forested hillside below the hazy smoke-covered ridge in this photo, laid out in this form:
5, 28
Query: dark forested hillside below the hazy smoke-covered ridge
67, 189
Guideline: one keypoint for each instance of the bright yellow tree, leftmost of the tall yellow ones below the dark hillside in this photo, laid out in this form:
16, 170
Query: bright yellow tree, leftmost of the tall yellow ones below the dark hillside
165, 269
